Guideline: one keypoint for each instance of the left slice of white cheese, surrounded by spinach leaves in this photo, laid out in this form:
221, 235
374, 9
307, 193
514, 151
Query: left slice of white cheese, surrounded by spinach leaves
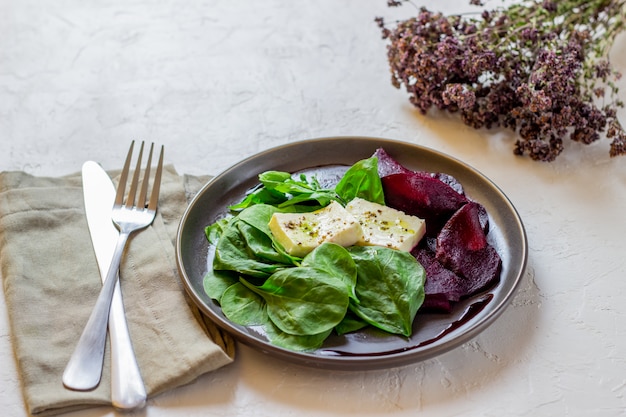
300, 233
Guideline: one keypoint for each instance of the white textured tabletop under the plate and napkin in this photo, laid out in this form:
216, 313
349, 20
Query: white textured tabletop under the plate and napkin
216, 81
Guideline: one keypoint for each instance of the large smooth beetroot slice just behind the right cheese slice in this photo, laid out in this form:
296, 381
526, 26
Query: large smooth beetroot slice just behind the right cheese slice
422, 196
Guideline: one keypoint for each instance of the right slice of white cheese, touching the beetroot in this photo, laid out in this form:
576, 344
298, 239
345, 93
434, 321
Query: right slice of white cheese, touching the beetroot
385, 226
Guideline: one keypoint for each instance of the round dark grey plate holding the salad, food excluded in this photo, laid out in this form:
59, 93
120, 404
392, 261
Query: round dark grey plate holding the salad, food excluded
433, 334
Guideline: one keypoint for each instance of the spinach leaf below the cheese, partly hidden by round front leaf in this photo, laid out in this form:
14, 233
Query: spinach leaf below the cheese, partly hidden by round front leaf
335, 260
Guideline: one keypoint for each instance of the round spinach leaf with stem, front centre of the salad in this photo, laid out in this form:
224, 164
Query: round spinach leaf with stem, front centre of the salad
303, 301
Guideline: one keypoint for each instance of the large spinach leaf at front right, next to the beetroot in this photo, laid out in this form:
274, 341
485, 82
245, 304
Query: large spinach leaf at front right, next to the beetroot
390, 287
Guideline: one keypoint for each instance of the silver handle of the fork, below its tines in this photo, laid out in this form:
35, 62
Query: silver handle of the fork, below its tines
84, 369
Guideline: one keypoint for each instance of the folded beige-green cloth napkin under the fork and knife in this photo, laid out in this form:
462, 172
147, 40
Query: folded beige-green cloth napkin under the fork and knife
51, 281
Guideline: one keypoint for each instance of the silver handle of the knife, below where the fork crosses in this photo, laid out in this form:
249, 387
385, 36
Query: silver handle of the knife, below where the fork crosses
127, 388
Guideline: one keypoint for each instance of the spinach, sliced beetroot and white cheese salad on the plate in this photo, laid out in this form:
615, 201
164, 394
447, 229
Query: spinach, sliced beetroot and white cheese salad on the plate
414, 242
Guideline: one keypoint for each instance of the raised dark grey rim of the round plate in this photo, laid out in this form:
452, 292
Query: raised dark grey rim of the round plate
353, 362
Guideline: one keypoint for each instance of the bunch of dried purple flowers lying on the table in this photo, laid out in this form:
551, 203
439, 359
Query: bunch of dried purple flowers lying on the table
538, 67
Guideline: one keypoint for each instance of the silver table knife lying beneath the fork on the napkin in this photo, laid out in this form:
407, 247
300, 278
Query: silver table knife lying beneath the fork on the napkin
127, 387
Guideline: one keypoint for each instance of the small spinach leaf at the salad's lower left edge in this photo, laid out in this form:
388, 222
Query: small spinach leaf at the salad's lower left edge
243, 306
